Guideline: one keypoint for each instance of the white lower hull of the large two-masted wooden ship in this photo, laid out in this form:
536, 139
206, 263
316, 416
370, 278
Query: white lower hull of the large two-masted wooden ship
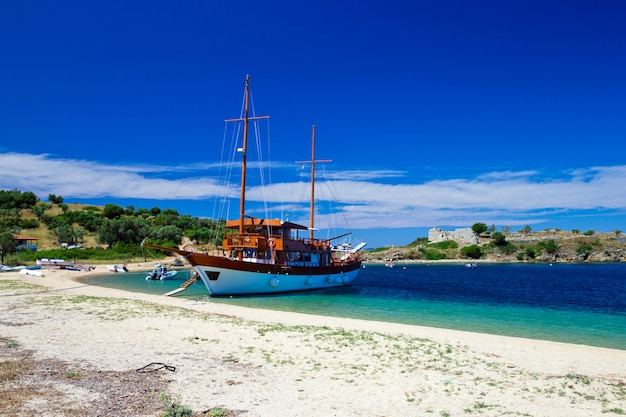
234, 282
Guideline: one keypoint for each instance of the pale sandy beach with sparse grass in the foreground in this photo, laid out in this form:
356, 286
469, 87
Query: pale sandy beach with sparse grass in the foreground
265, 363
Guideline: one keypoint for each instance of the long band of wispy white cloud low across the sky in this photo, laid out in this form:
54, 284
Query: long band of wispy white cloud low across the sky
500, 197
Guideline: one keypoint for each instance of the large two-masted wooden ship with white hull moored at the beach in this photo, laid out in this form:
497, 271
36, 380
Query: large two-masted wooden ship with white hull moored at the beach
261, 255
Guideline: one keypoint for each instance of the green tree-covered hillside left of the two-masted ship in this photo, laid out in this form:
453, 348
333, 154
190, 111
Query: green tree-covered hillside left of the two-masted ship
109, 232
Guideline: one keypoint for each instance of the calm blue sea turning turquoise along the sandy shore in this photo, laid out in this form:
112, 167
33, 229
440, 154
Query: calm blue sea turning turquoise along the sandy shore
573, 303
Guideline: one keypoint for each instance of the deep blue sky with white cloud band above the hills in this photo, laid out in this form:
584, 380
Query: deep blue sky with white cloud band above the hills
434, 113
